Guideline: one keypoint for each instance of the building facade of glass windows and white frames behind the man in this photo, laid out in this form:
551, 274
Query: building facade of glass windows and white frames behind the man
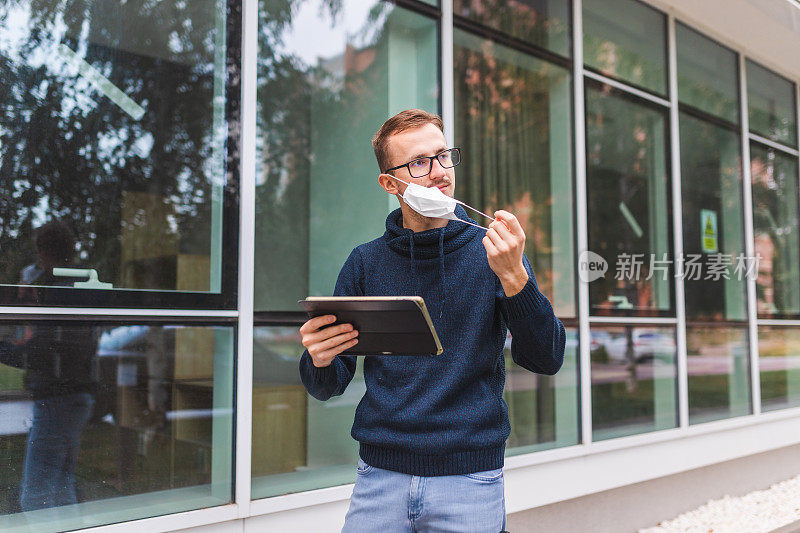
175, 176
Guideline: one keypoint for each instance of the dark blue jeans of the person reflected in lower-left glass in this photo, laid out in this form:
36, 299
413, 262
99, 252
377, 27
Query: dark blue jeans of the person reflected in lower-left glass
53, 444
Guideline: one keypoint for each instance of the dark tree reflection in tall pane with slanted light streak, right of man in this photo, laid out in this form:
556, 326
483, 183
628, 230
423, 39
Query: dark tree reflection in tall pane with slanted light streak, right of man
622, 171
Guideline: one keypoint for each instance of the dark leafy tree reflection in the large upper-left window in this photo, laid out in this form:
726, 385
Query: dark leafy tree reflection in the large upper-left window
68, 151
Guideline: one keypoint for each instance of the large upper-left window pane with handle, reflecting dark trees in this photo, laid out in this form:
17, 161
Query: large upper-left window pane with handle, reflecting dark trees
113, 136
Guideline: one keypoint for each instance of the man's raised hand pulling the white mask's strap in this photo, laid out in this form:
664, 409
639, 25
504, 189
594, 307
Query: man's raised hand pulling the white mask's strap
505, 243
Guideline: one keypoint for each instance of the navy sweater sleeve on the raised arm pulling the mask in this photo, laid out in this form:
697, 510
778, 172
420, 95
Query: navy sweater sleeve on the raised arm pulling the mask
537, 336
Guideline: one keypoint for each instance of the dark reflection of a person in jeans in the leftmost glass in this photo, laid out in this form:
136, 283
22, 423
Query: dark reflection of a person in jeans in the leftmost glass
58, 361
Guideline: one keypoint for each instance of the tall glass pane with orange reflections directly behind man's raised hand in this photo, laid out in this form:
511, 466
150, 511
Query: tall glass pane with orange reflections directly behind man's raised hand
513, 124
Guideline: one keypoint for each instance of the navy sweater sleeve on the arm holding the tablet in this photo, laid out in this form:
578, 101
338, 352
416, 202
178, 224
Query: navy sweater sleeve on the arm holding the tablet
332, 380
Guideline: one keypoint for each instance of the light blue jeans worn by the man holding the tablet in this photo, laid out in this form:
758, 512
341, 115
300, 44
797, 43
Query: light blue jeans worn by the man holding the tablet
391, 502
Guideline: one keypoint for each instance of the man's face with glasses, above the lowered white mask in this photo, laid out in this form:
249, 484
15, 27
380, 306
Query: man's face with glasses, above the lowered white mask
425, 141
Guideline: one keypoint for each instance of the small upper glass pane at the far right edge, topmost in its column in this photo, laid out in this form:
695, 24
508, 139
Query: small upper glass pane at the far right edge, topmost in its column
771, 105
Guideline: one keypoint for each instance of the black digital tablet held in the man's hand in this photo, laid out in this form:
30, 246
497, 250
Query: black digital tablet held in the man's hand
386, 325
